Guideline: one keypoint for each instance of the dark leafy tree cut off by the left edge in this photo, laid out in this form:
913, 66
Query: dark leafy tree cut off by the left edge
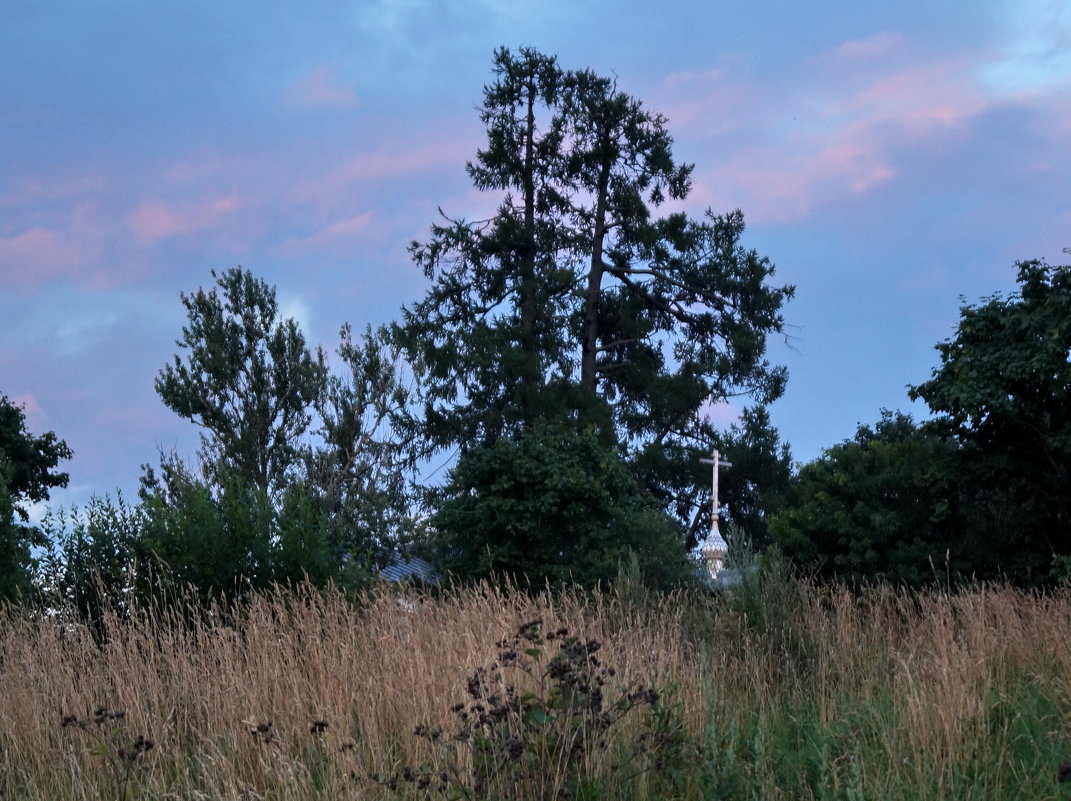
27, 475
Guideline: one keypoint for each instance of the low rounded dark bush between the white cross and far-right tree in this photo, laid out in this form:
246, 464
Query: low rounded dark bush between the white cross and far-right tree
881, 506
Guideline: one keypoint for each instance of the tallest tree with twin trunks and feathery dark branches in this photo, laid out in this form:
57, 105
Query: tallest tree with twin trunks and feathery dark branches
576, 303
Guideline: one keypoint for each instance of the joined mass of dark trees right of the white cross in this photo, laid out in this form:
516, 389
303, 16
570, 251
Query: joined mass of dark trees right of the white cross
983, 490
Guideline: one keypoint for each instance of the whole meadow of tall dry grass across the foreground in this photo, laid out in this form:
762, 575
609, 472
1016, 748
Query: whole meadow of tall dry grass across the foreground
777, 690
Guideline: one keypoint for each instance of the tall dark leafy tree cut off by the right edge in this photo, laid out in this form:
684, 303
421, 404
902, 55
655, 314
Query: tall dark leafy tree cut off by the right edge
1003, 392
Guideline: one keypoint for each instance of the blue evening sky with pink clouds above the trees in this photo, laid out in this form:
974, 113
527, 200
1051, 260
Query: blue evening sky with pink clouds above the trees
893, 160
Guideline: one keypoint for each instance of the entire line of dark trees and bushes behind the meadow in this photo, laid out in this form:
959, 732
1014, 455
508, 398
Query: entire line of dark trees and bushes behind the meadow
564, 359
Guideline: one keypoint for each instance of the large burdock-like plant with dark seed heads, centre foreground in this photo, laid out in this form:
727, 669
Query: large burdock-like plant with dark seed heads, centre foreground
533, 721
